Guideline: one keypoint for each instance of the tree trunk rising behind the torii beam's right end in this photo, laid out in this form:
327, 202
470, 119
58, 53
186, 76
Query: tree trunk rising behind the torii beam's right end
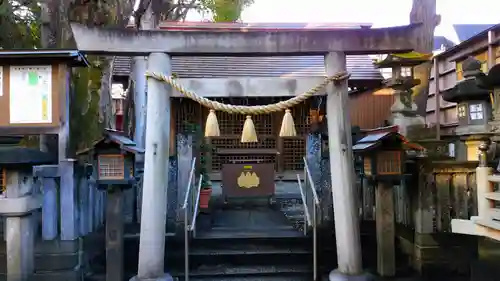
424, 11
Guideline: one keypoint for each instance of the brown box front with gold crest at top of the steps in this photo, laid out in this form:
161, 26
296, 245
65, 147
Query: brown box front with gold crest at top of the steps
248, 180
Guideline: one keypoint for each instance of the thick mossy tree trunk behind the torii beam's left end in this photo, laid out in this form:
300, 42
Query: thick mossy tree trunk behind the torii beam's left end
90, 98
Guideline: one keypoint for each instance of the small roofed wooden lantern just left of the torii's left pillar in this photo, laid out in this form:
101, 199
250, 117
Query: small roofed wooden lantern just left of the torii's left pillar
113, 158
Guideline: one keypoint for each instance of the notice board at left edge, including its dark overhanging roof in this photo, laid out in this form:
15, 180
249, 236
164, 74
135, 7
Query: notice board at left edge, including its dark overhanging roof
57, 101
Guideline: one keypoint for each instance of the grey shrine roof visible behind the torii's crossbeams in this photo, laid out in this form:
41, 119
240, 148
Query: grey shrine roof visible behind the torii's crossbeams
360, 66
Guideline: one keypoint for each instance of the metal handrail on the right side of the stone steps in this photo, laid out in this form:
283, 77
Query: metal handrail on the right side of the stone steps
308, 182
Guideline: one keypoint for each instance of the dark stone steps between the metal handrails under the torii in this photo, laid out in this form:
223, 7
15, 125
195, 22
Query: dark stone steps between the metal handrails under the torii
247, 243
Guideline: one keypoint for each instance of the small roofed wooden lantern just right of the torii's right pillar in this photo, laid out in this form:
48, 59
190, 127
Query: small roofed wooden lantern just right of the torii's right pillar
383, 155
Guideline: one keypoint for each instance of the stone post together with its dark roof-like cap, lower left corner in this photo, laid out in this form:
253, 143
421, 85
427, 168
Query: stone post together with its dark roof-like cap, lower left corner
18, 203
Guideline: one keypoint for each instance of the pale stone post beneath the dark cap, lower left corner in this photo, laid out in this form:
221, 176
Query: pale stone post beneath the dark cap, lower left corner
17, 207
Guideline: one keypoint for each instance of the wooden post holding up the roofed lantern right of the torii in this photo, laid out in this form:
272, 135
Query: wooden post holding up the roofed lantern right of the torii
384, 202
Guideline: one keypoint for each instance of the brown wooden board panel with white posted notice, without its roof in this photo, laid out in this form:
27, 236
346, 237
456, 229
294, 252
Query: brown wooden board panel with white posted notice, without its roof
32, 98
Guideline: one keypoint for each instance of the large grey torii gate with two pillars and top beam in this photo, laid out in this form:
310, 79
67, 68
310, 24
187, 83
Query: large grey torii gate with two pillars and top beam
159, 45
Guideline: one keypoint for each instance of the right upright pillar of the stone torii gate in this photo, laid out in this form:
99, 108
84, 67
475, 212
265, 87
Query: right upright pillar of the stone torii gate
342, 175
